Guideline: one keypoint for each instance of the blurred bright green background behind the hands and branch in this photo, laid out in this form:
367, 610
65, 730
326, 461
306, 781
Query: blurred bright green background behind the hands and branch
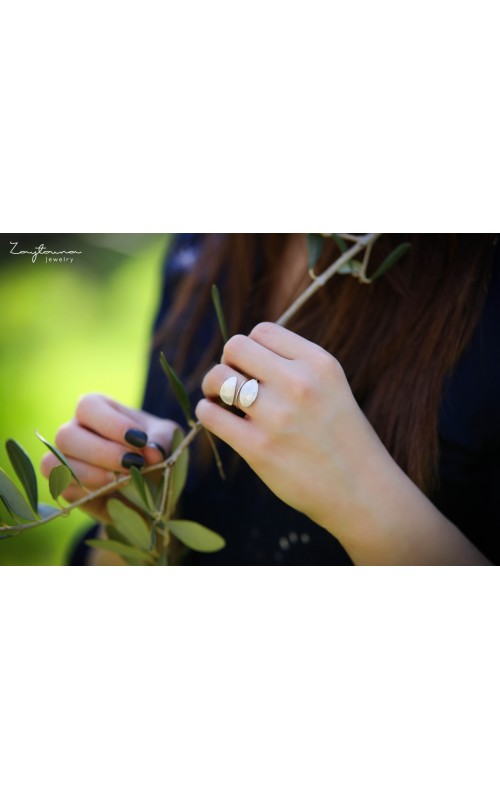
67, 329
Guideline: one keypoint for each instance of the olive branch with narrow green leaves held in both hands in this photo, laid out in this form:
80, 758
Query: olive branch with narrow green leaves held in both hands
142, 521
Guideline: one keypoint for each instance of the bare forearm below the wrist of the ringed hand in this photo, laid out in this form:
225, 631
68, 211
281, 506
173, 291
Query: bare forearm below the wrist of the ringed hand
396, 524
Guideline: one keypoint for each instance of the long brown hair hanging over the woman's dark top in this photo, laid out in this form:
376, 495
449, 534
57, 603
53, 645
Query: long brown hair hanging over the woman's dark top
397, 339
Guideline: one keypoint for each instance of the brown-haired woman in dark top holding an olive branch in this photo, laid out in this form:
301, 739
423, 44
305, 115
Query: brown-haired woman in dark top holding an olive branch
375, 434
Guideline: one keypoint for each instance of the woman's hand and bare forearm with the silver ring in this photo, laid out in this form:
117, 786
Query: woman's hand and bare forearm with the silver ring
308, 440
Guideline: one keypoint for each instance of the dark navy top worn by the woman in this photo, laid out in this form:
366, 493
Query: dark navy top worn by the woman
260, 529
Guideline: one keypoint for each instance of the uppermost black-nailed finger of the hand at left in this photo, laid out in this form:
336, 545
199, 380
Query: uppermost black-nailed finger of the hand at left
95, 412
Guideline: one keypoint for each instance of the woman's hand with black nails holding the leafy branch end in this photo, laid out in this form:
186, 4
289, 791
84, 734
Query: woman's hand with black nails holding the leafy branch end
104, 439
